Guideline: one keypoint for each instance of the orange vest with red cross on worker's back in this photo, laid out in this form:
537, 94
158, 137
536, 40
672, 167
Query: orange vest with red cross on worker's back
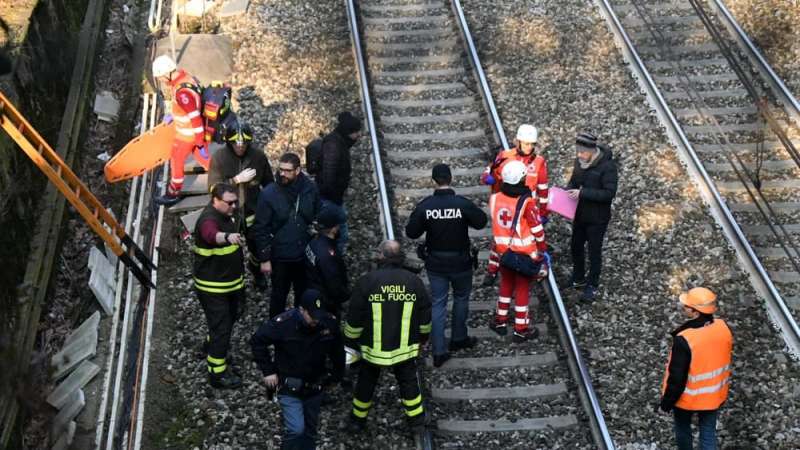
520, 240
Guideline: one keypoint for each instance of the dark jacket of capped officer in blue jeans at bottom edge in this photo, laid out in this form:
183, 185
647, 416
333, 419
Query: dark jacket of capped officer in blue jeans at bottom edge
300, 351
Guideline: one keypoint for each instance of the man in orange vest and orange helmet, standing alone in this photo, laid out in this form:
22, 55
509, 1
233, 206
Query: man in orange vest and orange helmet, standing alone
699, 369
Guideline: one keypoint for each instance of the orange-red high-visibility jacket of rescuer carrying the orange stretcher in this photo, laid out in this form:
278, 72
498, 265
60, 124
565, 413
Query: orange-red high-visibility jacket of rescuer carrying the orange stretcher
187, 108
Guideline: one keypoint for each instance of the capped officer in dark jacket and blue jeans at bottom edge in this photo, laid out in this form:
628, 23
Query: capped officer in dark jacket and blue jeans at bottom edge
303, 337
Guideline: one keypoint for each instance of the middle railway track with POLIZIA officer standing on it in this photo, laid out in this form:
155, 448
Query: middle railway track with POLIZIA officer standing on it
421, 74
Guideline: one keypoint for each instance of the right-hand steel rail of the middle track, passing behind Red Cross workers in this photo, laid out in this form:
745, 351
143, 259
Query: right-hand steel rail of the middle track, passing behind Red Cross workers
576, 364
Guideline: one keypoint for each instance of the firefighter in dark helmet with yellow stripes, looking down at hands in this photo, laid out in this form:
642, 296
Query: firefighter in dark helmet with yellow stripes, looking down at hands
247, 168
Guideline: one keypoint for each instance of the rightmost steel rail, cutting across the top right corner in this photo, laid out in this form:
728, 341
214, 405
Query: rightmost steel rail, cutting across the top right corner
785, 96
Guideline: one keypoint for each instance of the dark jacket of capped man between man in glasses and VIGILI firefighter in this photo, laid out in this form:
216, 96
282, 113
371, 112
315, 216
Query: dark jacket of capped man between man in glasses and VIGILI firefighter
327, 272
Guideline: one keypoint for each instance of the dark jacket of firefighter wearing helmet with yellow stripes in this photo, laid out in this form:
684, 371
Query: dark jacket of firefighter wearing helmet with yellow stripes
225, 165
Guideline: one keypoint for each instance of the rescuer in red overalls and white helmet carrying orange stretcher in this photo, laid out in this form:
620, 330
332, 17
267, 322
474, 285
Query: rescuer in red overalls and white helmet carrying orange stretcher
186, 112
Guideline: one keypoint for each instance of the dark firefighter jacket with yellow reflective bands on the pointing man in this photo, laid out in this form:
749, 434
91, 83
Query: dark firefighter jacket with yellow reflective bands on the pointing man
218, 268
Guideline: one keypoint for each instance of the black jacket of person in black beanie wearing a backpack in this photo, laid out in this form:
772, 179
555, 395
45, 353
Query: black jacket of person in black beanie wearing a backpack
334, 176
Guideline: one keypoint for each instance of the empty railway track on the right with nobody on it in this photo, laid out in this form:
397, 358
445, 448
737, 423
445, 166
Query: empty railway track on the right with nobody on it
737, 131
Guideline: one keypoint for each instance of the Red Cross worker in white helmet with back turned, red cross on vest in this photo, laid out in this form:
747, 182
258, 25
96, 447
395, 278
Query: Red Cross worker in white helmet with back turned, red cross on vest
526, 238
